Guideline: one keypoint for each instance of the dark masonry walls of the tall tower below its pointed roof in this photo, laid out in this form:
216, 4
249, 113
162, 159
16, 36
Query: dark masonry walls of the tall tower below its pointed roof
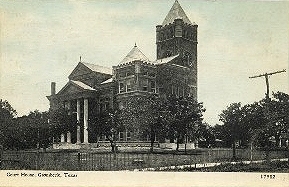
180, 39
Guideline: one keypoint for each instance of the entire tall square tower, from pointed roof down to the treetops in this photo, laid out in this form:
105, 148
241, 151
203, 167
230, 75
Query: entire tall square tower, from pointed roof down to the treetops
177, 38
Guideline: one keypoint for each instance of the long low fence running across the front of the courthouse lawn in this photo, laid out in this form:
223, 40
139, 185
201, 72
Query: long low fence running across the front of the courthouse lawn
105, 161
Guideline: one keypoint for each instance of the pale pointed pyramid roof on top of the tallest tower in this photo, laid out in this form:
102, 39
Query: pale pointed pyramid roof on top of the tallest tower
176, 12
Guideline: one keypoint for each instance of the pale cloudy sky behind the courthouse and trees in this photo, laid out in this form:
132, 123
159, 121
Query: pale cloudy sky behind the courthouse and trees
41, 42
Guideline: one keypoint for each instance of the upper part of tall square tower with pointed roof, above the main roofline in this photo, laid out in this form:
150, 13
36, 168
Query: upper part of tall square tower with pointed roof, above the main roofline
177, 36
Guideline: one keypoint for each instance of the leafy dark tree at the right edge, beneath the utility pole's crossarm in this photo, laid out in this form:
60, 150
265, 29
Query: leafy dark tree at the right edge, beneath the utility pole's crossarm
267, 118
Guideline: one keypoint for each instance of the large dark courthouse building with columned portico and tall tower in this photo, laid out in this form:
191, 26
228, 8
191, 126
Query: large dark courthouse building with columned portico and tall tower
92, 87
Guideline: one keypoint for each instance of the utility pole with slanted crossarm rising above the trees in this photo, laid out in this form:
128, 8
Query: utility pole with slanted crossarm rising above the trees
267, 100
